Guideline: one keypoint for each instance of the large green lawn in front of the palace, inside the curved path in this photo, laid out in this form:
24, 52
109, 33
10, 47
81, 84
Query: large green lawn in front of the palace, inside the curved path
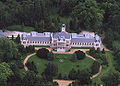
64, 67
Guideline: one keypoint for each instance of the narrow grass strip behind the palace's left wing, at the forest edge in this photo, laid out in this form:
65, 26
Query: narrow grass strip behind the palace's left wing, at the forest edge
19, 28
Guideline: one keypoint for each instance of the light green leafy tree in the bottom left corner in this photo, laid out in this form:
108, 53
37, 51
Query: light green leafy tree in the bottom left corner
5, 72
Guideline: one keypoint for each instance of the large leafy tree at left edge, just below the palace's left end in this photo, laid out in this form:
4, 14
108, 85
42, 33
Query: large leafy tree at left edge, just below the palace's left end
8, 50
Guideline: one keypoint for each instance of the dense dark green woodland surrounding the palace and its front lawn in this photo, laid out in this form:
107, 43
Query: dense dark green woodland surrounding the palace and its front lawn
99, 16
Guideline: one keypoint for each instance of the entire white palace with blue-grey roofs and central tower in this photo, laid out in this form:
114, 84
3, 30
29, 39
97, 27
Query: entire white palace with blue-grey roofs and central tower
61, 41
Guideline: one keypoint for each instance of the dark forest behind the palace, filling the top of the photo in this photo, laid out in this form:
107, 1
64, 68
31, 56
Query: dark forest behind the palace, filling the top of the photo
100, 16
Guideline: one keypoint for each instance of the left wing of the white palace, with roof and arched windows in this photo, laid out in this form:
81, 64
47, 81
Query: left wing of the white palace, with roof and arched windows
34, 38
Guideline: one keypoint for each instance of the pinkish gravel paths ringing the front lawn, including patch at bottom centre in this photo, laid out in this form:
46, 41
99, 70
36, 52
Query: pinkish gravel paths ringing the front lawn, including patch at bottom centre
71, 52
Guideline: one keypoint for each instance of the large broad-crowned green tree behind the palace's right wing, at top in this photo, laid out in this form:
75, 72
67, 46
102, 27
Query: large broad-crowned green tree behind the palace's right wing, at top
89, 15
